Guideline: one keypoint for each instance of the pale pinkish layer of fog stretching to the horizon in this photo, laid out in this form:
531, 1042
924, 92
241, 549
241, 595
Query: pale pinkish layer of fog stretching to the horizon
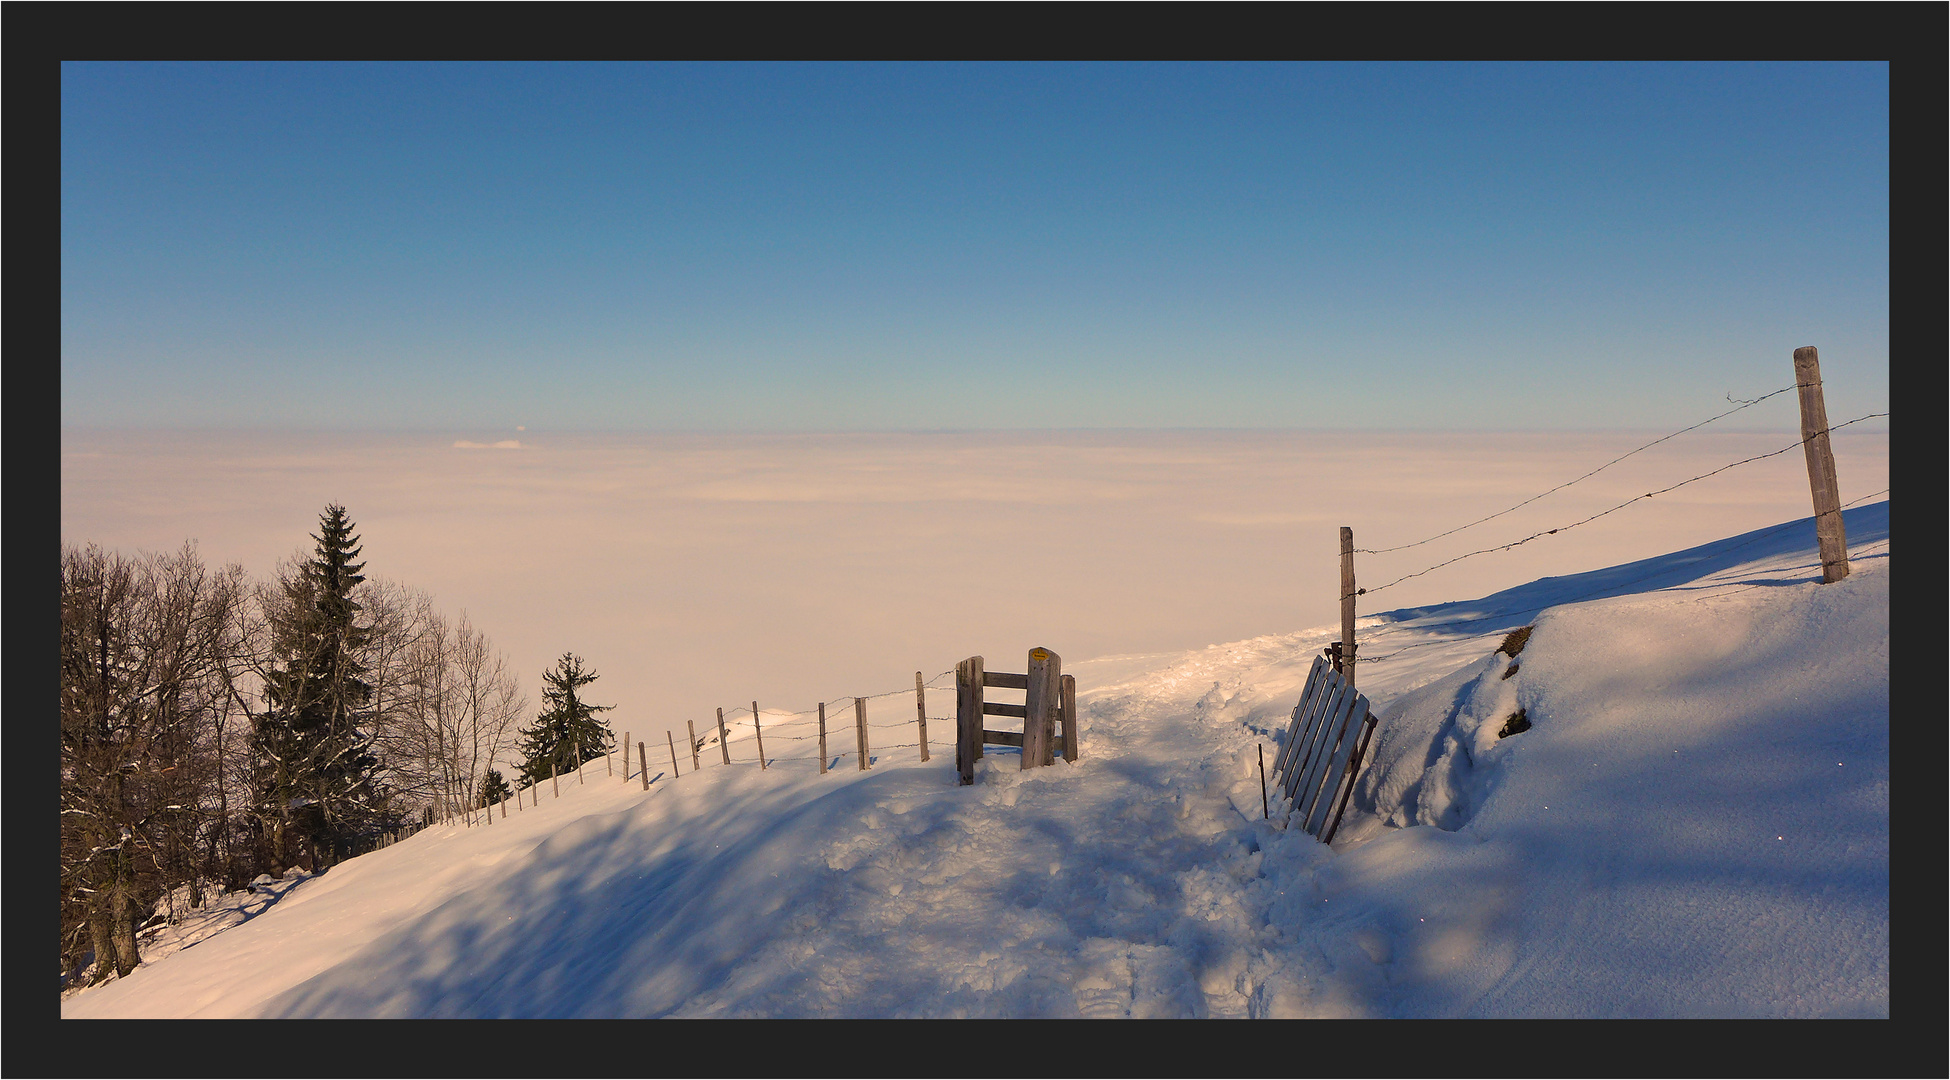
715, 570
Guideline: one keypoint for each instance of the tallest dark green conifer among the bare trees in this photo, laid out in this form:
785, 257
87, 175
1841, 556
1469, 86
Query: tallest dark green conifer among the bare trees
317, 771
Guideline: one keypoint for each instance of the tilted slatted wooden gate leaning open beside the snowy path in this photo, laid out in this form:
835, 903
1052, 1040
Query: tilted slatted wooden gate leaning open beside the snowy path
1325, 746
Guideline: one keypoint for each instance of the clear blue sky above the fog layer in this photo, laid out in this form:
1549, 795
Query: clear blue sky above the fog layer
966, 247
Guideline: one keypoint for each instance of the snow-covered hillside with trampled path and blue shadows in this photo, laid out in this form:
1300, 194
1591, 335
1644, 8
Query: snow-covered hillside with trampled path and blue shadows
1696, 824
